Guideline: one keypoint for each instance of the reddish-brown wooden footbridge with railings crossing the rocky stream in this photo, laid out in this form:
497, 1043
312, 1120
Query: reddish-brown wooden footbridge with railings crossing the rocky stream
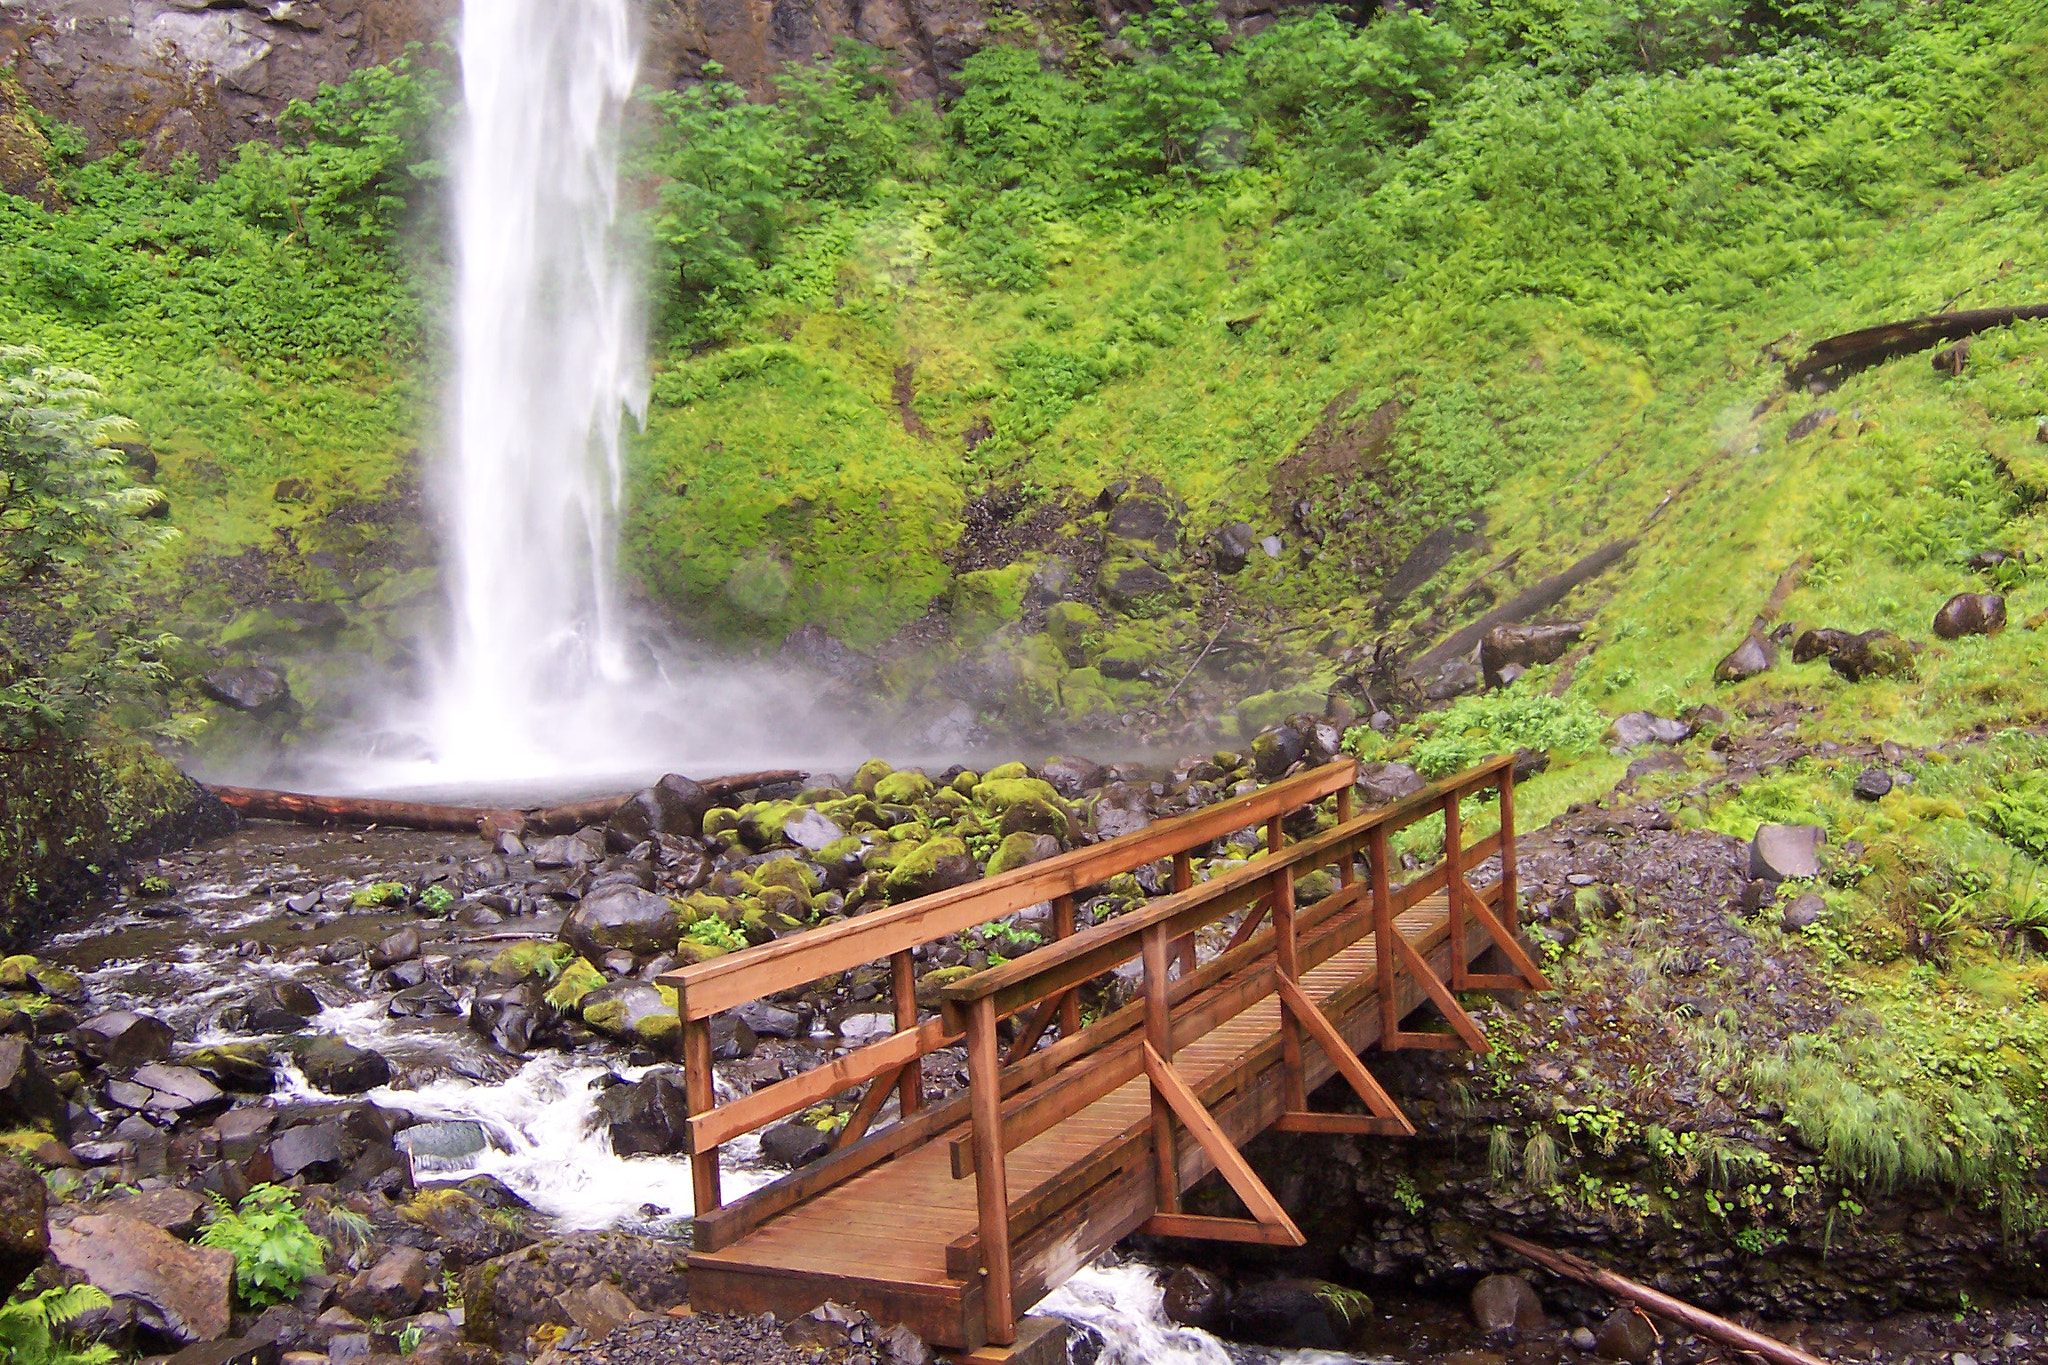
970, 1210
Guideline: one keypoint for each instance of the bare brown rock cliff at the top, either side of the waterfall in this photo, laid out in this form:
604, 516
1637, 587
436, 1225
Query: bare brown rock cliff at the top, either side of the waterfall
202, 77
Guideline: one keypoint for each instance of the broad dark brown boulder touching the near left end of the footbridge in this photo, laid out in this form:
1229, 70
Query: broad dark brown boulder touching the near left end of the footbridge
509, 1298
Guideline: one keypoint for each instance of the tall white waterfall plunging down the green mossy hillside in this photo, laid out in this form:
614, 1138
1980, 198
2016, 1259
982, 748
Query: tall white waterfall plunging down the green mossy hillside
550, 367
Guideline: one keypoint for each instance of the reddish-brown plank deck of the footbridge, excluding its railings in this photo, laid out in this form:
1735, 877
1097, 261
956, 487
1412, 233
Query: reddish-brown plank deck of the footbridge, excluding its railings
882, 1237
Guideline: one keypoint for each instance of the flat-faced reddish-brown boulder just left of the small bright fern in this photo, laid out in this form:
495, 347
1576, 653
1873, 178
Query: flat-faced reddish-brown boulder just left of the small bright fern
177, 1290
